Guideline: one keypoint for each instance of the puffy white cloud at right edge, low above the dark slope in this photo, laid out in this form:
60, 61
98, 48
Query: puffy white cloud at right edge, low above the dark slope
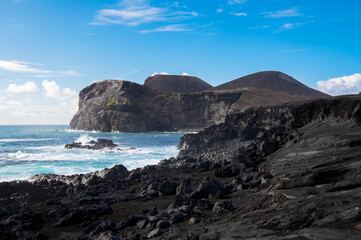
341, 85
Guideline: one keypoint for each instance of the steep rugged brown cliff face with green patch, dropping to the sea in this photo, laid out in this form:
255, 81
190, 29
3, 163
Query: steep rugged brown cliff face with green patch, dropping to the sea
124, 106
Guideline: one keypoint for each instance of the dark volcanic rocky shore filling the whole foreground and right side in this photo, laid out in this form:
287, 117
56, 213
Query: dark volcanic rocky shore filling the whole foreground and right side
286, 172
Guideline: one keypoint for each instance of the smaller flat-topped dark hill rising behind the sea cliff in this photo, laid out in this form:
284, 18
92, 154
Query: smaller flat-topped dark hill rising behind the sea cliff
176, 83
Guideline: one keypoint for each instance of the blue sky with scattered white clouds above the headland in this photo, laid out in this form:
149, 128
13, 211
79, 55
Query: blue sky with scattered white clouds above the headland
51, 49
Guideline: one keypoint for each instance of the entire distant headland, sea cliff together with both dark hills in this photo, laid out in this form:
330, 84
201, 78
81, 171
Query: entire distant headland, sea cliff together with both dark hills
161, 104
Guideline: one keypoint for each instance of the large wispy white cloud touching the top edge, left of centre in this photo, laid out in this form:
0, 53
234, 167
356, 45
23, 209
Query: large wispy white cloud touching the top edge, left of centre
133, 13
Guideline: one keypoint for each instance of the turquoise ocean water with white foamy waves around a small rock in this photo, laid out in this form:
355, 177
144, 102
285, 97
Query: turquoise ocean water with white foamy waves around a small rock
29, 150
